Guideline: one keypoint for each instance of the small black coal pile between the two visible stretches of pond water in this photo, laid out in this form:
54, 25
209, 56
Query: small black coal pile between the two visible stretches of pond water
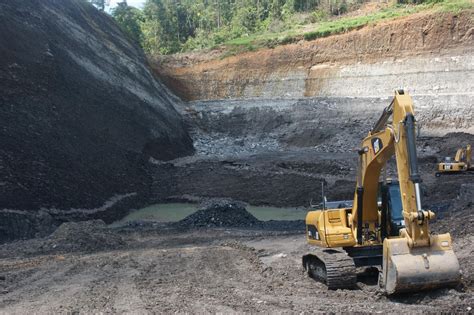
220, 213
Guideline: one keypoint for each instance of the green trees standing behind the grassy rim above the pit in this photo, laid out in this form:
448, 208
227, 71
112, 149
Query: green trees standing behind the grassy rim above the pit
169, 26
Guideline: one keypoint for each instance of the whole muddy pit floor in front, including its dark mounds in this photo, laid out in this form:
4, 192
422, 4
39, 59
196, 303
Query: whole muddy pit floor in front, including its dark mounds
192, 267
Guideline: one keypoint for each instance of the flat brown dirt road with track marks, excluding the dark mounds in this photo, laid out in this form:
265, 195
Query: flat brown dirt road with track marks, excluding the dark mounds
214, 270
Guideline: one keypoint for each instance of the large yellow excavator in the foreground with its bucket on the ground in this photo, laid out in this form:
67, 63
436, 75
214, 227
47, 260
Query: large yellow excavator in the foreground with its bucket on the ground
386, 226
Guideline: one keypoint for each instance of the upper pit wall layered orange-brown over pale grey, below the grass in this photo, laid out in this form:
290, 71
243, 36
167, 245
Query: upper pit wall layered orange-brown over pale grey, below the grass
429, 55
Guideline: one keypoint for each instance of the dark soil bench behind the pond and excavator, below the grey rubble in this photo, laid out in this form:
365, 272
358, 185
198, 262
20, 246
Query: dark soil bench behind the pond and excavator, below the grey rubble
292, 177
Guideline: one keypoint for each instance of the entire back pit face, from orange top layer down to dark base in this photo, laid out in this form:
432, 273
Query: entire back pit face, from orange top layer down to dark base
271, 125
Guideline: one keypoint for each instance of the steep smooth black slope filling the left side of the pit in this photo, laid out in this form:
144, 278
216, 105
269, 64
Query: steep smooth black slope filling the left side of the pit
80, 112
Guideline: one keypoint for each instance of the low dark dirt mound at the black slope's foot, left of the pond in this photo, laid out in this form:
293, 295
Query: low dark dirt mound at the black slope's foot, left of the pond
86, 236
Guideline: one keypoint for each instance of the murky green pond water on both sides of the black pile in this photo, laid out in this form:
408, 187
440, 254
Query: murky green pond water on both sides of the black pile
172, 212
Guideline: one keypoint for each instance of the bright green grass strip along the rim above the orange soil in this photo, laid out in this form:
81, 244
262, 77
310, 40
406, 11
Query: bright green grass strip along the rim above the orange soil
340, 25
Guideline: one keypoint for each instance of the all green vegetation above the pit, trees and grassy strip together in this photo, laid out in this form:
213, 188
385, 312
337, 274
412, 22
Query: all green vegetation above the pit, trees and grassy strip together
171, 26
